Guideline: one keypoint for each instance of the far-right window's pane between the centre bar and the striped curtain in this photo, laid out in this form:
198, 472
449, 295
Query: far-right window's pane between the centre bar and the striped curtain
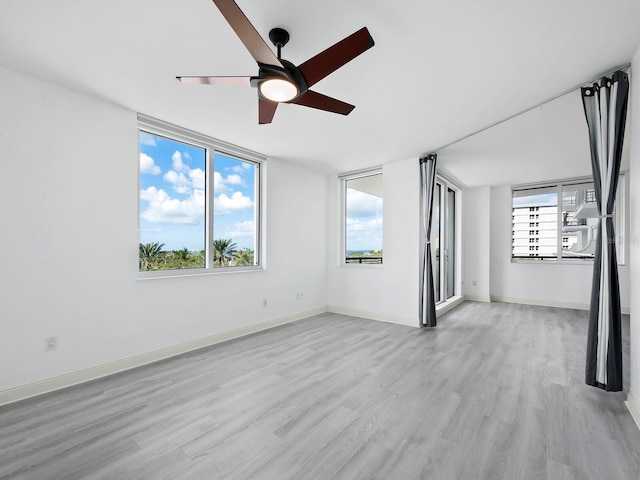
579, 221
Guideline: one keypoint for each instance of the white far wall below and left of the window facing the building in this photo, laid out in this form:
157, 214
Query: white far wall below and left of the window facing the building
538, 283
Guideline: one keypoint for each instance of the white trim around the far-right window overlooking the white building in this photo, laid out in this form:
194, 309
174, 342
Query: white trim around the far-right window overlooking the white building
620, 223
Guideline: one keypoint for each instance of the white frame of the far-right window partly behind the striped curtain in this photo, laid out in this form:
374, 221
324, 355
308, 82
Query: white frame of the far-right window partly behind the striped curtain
619, 224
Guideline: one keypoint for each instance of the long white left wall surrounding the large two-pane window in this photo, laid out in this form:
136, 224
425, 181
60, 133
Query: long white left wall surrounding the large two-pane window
68, 210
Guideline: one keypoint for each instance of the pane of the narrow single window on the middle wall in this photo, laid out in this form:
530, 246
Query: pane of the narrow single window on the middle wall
363, 222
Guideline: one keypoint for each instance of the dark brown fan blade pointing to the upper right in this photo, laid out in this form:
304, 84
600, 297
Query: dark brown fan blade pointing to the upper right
318, 67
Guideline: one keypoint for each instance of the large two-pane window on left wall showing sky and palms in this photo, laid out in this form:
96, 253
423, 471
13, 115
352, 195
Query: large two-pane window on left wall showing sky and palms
199, 202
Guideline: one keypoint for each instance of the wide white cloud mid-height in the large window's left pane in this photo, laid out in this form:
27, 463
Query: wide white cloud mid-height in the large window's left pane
161, 208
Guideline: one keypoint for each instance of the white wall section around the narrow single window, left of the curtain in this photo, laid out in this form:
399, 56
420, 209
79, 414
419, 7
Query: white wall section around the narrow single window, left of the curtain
388, 292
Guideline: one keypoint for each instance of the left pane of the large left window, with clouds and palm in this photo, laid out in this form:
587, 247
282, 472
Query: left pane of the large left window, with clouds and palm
172, 204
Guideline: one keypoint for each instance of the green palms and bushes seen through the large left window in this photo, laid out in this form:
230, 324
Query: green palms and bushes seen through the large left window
225, 254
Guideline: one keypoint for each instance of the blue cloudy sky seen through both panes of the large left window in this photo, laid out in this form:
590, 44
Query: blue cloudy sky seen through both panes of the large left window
172, 195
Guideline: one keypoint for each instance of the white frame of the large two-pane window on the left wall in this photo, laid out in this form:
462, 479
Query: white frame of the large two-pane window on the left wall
211, 146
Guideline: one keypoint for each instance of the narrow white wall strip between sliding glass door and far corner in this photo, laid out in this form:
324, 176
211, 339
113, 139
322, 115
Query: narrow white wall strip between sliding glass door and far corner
476, 243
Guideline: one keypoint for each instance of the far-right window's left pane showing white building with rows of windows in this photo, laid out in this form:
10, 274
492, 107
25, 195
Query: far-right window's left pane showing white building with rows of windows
535, 223
